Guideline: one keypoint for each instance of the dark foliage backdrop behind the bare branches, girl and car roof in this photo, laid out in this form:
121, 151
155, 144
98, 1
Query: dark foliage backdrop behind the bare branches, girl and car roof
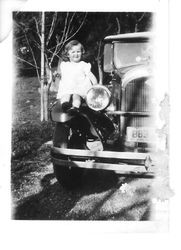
89, 28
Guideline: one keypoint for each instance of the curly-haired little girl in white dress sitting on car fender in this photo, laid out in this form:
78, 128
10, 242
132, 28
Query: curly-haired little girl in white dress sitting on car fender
76, 77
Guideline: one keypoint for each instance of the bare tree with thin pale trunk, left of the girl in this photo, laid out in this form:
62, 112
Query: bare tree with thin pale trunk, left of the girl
40, 36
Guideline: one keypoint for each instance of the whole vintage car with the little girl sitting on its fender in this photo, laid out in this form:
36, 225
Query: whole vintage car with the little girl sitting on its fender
122, 106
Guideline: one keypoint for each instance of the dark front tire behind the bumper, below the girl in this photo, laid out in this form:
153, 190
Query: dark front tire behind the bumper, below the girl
68, 177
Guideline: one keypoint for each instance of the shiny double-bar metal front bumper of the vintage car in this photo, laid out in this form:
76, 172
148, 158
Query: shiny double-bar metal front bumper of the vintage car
120, 162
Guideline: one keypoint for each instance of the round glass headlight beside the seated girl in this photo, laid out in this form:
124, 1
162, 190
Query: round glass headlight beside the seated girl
98, 97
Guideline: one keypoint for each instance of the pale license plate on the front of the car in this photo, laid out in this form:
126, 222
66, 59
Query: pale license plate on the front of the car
142, 134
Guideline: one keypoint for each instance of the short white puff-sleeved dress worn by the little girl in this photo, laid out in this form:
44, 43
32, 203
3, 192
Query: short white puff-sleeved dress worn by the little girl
74, 78
